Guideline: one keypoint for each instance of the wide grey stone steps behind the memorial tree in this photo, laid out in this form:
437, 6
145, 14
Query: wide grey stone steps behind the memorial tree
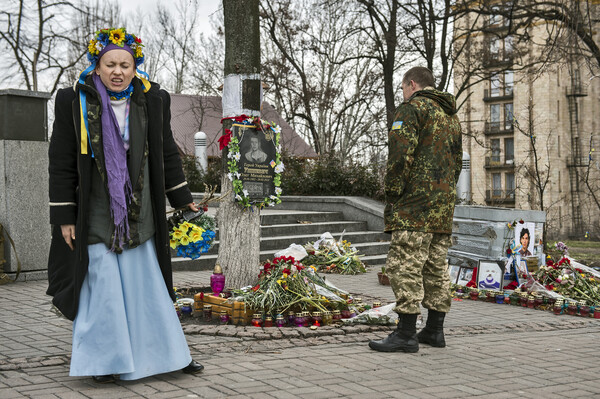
280, 229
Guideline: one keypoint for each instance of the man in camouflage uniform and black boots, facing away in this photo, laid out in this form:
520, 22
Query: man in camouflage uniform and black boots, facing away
424, 162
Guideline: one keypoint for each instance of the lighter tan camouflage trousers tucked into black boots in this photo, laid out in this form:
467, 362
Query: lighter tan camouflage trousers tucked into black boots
418, 271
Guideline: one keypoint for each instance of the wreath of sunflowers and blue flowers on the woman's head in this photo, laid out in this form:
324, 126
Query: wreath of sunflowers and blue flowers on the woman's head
111, 38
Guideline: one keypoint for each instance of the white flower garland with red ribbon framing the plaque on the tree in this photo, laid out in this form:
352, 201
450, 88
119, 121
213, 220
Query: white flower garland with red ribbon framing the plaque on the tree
233, 154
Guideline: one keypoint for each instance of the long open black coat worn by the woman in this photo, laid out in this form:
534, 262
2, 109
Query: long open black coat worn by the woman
69, 189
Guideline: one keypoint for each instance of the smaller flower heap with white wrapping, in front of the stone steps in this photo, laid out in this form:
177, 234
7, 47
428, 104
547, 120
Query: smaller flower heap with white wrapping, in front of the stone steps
332, 256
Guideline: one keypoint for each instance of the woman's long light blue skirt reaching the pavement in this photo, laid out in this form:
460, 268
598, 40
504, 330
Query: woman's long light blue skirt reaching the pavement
126, 323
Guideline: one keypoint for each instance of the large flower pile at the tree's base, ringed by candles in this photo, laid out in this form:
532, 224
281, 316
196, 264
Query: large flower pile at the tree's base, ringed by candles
285, 284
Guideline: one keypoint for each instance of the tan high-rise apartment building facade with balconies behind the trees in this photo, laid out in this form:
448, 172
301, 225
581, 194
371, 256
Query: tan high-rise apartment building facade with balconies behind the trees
530, 122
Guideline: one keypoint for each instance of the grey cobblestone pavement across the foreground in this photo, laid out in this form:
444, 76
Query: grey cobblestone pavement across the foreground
494, 351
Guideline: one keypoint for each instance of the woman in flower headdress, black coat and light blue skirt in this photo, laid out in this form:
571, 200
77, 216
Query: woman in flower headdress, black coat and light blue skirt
112, 160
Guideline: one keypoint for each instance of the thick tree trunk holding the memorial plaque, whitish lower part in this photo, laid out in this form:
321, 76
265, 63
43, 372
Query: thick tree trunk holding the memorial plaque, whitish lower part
239, 229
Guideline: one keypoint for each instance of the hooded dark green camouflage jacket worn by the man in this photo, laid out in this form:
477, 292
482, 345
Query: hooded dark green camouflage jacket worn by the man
424, 162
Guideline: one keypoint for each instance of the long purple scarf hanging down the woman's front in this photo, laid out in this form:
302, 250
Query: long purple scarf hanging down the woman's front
117, 174
